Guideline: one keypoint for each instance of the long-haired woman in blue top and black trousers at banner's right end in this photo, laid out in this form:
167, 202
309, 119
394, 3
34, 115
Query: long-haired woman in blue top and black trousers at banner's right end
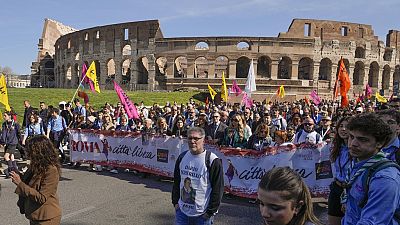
341, 159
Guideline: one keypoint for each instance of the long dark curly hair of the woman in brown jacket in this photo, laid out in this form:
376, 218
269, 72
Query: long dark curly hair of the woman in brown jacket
42, 155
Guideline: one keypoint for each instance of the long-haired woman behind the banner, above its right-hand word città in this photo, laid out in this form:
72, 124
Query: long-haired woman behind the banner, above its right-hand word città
236, 134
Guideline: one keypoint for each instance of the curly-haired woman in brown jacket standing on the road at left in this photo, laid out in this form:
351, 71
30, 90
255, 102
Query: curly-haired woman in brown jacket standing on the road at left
37, 189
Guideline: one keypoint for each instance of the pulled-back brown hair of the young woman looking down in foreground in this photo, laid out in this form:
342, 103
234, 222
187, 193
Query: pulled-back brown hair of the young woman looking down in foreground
289, 183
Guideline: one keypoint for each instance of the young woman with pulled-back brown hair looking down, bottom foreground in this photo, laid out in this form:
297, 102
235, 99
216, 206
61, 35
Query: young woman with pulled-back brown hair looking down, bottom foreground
284, 198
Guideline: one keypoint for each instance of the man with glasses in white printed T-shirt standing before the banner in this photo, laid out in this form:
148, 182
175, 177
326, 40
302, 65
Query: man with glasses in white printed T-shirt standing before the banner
200, 173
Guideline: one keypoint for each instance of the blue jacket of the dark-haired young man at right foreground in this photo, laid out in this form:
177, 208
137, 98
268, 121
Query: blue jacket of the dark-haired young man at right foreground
383, 198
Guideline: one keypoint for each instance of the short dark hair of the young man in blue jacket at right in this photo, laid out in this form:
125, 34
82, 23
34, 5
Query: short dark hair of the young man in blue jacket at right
370, 123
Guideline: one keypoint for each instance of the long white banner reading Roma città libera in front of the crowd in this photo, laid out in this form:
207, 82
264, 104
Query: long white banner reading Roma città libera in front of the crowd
243, 168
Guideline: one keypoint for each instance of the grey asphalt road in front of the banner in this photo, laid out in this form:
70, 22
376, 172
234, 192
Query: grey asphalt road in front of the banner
125, 198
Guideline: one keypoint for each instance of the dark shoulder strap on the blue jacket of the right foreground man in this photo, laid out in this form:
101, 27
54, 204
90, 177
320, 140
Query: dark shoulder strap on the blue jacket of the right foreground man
371, 171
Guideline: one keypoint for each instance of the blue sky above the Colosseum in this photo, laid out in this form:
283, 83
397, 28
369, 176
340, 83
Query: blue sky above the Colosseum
21, 22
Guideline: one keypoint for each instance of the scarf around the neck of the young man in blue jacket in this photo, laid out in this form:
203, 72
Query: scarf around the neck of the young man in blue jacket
351, 179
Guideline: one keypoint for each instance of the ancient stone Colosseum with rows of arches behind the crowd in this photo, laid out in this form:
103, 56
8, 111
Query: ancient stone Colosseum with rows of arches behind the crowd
139, 57
